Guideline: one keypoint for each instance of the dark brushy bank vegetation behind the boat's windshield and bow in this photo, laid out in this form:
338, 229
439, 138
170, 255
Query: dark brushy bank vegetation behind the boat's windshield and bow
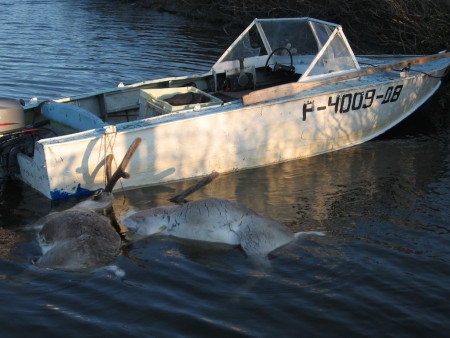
382, 26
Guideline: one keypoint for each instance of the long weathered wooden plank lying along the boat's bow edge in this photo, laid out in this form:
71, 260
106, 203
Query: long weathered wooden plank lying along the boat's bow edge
289, 89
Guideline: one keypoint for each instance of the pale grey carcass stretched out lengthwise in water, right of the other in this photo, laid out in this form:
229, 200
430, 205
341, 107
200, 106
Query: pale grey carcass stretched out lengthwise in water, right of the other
212, 220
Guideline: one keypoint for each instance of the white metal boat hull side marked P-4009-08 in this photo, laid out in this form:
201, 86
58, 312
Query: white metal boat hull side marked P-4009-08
231, 137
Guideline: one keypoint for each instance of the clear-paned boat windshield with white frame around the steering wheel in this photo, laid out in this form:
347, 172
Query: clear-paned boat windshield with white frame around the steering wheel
318, 48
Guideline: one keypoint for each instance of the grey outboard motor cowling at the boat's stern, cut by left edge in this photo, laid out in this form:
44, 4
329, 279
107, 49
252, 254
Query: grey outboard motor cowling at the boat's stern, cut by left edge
12, 116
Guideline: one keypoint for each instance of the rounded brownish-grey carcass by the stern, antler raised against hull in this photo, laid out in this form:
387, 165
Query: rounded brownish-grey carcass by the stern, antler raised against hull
81, 238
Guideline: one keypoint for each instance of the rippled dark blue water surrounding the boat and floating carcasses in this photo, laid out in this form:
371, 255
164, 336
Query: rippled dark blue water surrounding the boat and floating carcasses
381, 270
